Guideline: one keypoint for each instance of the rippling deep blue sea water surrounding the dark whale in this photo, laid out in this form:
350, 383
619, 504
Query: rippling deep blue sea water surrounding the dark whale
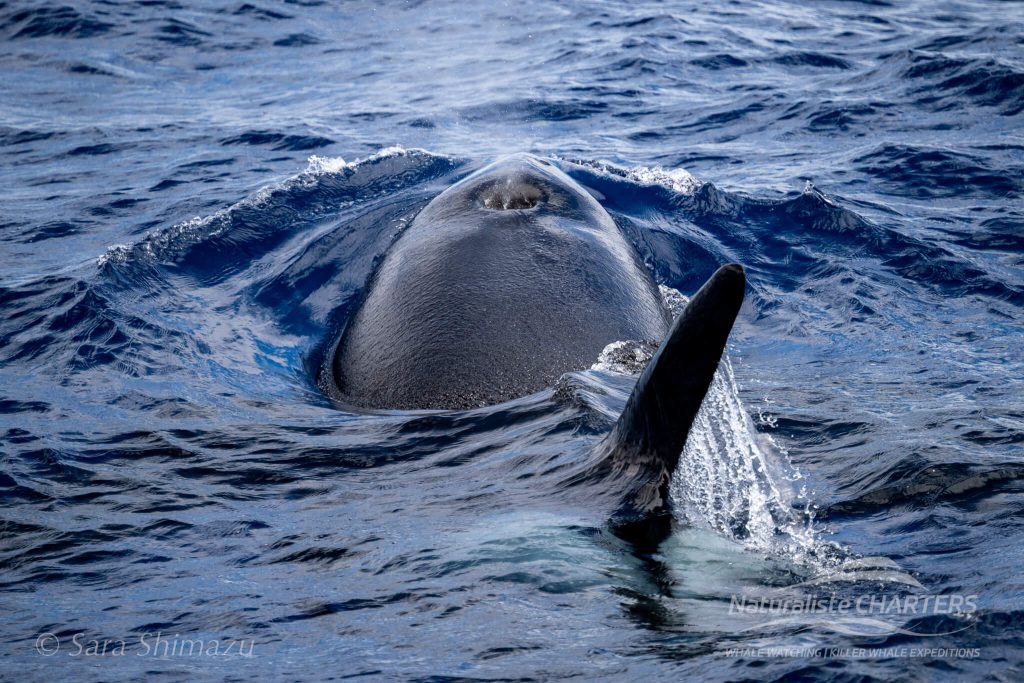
196, 196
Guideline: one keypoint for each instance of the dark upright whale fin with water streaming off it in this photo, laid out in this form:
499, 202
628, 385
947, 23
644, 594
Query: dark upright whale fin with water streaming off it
646, 445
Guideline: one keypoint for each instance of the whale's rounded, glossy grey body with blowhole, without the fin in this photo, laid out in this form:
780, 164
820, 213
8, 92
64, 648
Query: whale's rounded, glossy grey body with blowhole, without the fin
503, 283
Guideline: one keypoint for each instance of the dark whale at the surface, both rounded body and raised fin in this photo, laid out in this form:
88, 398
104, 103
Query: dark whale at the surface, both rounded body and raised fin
506, 281
